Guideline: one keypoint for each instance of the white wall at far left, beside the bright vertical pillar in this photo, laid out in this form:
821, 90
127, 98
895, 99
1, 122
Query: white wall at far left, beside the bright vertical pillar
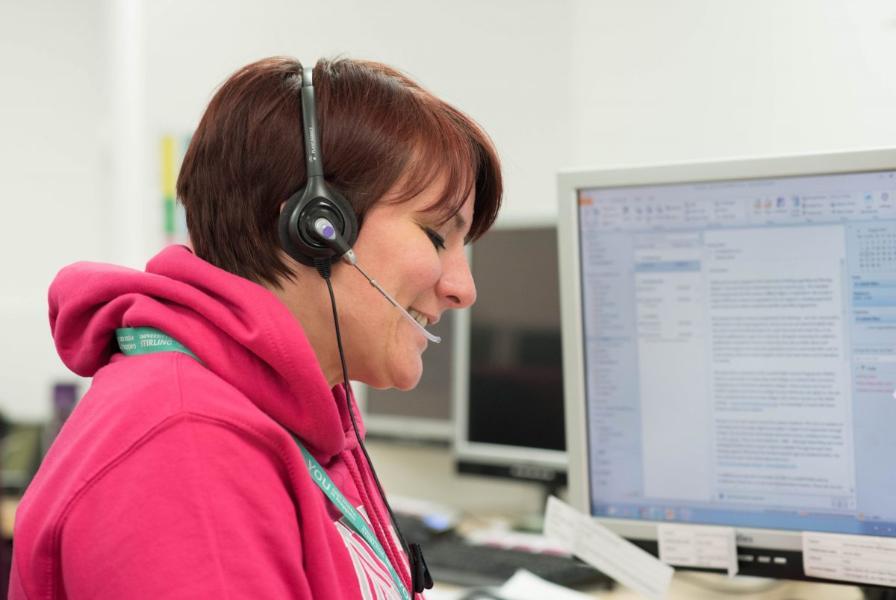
50, 106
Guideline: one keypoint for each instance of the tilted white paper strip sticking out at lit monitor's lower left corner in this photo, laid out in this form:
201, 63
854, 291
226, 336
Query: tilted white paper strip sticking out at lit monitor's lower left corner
606, 551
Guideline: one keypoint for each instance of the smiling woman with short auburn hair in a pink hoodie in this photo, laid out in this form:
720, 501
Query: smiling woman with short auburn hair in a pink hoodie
185, 471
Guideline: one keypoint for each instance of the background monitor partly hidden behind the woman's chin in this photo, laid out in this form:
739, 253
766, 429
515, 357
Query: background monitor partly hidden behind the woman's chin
424, 413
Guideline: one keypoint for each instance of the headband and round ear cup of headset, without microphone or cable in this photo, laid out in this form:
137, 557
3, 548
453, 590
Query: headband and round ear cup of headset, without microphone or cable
302, 233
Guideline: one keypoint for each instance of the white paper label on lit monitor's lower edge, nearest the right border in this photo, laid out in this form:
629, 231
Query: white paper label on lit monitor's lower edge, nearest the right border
859, 558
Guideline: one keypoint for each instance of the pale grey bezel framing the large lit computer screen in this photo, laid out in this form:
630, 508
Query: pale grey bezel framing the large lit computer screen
569, 182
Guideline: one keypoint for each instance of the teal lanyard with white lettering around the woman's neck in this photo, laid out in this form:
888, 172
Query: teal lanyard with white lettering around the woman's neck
147, 340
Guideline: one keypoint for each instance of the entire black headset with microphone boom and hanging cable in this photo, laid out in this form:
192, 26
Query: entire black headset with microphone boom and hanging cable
318, 227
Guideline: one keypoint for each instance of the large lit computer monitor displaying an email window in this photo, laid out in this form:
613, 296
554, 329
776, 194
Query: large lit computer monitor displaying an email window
730, 348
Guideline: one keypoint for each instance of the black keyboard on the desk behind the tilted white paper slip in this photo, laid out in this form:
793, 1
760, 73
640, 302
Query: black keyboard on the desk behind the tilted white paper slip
452, 560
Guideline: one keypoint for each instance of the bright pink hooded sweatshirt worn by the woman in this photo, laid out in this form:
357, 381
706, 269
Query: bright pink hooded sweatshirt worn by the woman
179, 479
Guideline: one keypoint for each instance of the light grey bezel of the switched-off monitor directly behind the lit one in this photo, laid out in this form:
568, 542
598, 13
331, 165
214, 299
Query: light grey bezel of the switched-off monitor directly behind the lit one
519, 462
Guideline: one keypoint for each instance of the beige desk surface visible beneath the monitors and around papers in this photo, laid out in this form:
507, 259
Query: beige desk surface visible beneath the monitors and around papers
427, 472
